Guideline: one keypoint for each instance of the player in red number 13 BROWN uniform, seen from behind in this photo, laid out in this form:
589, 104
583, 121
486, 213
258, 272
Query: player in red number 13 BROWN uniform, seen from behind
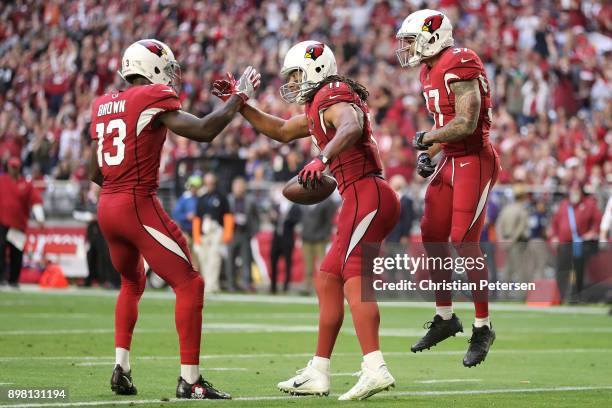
128, 130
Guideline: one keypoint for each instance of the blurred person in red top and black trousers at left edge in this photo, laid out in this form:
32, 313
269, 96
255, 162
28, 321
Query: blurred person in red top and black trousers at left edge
18, 198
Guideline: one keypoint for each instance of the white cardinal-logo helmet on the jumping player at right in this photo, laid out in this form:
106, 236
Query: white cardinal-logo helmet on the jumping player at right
423, 34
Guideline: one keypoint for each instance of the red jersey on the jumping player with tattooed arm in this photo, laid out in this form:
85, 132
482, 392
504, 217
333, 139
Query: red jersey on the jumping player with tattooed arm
457, 64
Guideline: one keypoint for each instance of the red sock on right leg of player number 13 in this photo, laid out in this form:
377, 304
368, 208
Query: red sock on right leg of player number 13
188, 318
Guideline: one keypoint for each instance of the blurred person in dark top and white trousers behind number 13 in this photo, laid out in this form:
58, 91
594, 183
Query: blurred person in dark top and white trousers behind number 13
211, 212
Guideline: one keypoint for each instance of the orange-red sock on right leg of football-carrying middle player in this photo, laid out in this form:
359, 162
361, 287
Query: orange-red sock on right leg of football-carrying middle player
366, 317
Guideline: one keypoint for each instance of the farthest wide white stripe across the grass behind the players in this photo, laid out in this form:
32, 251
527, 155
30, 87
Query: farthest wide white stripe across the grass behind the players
295, 300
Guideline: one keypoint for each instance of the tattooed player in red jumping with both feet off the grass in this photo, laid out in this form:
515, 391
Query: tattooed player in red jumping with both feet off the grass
457, 95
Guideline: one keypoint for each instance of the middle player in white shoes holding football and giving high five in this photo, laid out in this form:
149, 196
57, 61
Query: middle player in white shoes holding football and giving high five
336, 114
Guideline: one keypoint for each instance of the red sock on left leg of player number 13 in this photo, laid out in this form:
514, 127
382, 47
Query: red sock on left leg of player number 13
126, 310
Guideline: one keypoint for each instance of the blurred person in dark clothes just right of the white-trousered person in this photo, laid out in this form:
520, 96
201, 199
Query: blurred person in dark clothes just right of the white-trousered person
245, 214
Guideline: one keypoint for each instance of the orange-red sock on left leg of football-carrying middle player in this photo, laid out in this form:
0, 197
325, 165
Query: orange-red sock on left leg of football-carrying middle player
331, 311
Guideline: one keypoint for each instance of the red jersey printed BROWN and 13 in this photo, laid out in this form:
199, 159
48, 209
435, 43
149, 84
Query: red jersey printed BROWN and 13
129, 141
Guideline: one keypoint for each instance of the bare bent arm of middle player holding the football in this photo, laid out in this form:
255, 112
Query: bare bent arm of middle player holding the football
348, 122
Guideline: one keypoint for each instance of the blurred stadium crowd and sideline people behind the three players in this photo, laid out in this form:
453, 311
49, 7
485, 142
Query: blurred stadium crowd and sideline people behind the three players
549, 63
